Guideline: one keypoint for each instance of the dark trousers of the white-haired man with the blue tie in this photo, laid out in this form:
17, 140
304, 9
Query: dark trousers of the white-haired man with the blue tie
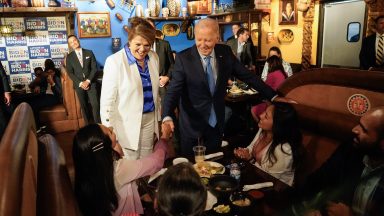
210, 138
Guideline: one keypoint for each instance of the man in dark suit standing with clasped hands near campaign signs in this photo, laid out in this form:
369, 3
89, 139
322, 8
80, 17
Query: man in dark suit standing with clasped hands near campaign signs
81, 68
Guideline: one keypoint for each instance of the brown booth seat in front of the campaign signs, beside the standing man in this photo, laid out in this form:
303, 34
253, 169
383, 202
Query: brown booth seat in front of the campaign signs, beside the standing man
66, 116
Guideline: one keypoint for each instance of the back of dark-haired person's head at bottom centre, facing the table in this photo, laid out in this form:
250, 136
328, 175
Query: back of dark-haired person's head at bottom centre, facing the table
181, 192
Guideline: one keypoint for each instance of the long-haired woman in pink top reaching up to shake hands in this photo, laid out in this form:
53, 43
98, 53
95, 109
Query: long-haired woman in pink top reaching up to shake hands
104, 180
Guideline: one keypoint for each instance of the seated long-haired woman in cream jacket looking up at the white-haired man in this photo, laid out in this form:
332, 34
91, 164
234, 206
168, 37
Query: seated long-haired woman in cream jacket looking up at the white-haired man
277, 147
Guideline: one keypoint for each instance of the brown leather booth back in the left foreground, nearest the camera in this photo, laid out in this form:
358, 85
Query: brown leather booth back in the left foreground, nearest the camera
33, 178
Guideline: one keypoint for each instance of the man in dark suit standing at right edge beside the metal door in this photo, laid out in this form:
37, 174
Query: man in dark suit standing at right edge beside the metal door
372, 48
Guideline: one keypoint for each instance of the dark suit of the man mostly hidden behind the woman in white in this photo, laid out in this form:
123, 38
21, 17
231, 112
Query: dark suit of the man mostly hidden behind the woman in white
166, 61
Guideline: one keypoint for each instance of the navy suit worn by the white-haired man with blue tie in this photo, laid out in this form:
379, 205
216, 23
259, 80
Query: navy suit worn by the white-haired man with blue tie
190, 85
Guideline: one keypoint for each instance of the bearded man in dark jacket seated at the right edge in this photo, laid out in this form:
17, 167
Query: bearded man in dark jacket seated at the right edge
351, 182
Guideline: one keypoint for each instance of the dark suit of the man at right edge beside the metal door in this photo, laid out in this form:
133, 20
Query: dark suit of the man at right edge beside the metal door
368, 53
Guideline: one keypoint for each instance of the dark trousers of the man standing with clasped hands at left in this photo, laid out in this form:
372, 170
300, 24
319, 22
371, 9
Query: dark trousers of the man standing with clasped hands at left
91, 95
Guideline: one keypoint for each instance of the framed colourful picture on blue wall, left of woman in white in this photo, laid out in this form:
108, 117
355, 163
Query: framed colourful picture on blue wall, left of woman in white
93, 24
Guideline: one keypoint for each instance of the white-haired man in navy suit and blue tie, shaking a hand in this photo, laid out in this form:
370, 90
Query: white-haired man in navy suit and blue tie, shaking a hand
199, 81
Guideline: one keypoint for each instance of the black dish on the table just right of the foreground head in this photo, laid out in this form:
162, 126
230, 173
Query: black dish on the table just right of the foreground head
222, 186
